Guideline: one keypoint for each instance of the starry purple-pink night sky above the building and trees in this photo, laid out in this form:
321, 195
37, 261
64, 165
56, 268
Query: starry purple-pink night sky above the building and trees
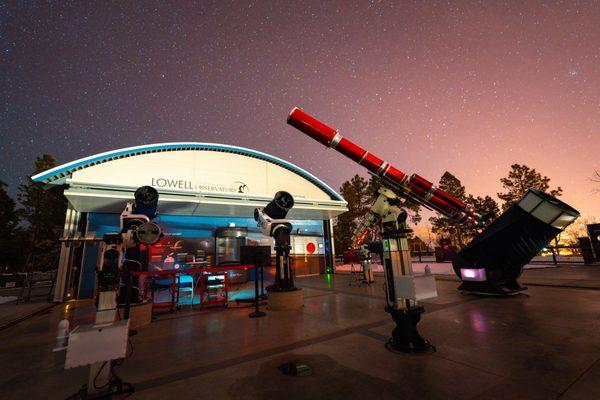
469, 87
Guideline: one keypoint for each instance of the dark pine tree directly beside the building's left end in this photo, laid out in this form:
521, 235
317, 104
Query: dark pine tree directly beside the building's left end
44, 211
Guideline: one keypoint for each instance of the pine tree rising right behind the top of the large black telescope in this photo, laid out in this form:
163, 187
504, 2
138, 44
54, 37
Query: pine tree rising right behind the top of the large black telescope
520, 179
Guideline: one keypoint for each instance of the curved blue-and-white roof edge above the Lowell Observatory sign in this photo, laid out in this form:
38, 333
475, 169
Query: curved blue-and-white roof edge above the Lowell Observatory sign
59, 174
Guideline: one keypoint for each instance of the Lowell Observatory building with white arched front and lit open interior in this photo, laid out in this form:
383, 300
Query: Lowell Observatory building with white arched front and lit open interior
202, 187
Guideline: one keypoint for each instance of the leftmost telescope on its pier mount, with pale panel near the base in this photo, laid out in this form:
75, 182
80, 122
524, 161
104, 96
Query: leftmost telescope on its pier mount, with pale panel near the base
120, 252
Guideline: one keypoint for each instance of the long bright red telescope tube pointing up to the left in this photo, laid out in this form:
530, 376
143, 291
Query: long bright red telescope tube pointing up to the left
416, 188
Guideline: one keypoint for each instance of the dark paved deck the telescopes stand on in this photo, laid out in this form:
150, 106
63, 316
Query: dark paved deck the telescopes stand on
543, 345
